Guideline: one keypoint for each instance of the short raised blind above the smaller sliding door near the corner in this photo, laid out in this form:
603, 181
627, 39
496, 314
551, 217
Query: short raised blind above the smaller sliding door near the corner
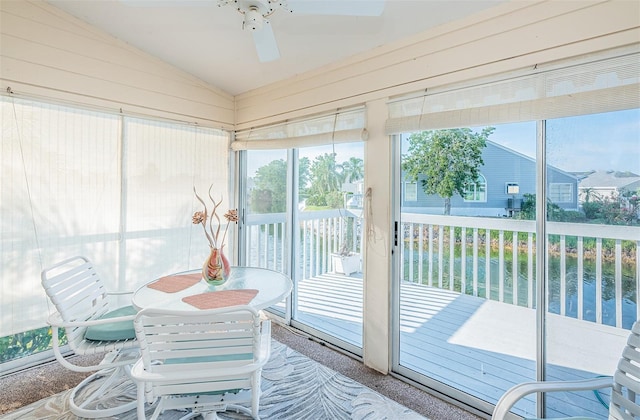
339, 127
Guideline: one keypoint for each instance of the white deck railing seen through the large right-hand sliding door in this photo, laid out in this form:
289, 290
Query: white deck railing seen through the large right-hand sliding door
433, 237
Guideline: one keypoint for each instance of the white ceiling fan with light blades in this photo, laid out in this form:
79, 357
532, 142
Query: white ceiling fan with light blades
256, 13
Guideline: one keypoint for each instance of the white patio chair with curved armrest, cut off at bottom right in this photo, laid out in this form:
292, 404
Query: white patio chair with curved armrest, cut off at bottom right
626, 380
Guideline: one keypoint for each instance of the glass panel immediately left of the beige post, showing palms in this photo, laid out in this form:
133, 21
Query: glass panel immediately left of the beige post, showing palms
328, 251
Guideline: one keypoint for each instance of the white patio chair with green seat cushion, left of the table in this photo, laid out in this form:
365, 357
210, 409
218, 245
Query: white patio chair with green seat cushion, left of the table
92, 327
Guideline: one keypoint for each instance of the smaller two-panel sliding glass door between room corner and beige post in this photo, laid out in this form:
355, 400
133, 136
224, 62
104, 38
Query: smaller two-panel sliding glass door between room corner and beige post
303, 216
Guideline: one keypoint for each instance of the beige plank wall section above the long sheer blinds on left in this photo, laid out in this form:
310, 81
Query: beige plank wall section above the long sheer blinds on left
46, 52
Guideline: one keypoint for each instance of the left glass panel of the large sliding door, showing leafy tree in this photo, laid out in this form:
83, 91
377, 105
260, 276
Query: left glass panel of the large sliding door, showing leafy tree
467, 289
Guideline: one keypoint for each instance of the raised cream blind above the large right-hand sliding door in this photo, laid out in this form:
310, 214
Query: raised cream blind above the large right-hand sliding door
600, 86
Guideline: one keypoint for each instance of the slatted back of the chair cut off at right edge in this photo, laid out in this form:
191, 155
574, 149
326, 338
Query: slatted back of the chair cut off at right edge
626, 380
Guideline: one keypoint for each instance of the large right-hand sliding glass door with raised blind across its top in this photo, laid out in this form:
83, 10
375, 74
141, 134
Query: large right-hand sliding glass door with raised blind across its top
518, 234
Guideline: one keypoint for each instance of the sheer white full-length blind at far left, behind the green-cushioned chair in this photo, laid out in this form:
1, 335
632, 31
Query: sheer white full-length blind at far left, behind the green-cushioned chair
59, 197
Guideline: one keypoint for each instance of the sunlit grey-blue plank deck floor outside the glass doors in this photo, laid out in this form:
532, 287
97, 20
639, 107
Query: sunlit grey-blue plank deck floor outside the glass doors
480, 347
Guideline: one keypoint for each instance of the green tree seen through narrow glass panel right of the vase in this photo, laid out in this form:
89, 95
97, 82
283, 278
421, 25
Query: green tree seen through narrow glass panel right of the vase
270, 192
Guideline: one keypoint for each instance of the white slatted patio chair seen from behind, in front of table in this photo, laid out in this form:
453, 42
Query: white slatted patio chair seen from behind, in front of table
206, 361
